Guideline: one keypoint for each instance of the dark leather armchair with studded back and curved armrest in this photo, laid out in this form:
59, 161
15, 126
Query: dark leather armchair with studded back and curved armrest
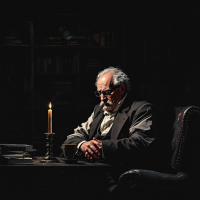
181, 179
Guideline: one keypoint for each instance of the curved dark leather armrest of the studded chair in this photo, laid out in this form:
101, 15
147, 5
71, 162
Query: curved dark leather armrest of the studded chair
149, 178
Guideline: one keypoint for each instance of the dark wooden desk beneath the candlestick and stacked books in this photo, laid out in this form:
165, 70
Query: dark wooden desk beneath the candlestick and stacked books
52, 181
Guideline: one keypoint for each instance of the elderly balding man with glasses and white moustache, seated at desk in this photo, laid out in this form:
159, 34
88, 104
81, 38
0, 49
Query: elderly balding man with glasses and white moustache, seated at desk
120, 130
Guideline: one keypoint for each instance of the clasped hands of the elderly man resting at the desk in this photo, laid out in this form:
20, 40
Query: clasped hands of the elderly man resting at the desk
92, 149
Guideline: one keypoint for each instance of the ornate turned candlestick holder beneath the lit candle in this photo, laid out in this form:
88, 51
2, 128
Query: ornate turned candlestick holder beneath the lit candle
49, 155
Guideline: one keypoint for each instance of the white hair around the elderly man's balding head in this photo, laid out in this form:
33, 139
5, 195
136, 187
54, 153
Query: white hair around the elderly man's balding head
119, 77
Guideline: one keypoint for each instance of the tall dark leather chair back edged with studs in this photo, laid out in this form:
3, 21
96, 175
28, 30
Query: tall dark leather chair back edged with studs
186, 138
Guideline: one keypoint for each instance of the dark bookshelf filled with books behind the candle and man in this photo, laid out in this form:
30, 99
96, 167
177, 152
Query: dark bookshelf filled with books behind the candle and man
39, 65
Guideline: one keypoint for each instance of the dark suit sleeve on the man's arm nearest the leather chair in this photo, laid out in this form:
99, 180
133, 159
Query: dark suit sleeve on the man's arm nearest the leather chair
139, 143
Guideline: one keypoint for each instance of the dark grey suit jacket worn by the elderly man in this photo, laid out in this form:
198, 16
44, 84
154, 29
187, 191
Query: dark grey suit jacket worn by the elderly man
132, 134
